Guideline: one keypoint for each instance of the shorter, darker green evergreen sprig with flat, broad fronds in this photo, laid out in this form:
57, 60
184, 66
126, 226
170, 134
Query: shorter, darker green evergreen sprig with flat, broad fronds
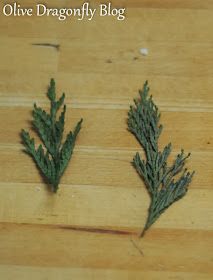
53, 156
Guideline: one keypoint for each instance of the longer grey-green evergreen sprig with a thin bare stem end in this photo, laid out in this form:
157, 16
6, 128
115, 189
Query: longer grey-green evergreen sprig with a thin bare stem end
160, 178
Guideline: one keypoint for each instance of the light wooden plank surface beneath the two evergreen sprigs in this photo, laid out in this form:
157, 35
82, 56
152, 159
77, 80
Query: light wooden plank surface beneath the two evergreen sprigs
89, 230
